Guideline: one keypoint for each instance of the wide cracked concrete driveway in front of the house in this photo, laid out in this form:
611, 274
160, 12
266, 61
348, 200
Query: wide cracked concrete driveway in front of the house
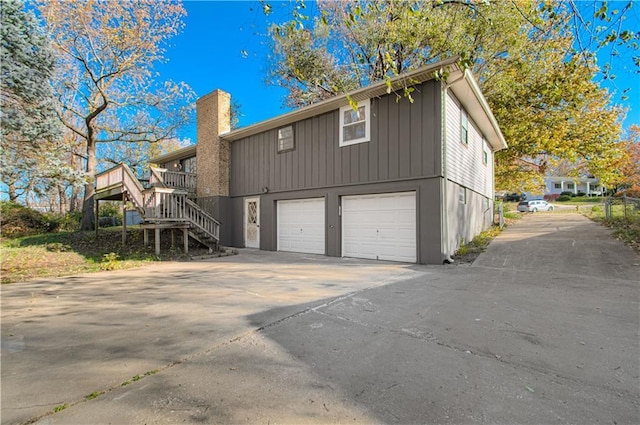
542, 328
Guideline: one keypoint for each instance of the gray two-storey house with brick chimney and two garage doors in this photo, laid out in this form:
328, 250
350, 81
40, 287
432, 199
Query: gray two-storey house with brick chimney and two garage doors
395, 180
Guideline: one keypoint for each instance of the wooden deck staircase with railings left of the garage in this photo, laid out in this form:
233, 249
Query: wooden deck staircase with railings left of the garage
165, 204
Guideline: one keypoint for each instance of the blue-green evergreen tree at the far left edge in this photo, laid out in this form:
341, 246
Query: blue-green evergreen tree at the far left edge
30, 148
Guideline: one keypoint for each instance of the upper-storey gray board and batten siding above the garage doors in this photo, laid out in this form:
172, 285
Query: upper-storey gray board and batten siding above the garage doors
405, 143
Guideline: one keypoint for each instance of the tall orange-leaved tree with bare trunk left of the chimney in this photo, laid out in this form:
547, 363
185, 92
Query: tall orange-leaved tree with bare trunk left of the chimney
106, 89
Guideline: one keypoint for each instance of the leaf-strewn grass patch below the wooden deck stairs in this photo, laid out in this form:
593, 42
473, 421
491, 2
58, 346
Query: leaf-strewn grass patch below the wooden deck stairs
67, 253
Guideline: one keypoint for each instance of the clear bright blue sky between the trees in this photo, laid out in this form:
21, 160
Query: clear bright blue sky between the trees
224, 45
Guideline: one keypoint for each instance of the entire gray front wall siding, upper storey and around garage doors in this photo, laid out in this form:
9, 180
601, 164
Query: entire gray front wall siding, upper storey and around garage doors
403, 155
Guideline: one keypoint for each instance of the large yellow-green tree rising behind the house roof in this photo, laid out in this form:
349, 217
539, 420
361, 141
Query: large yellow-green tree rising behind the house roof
540, 87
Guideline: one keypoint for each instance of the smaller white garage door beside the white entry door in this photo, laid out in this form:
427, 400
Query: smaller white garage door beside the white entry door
301, 226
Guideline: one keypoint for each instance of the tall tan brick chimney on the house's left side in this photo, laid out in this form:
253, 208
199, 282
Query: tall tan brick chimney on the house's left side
212, 153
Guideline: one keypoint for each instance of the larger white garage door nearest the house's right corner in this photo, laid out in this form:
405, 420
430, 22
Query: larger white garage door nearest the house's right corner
380, 227
